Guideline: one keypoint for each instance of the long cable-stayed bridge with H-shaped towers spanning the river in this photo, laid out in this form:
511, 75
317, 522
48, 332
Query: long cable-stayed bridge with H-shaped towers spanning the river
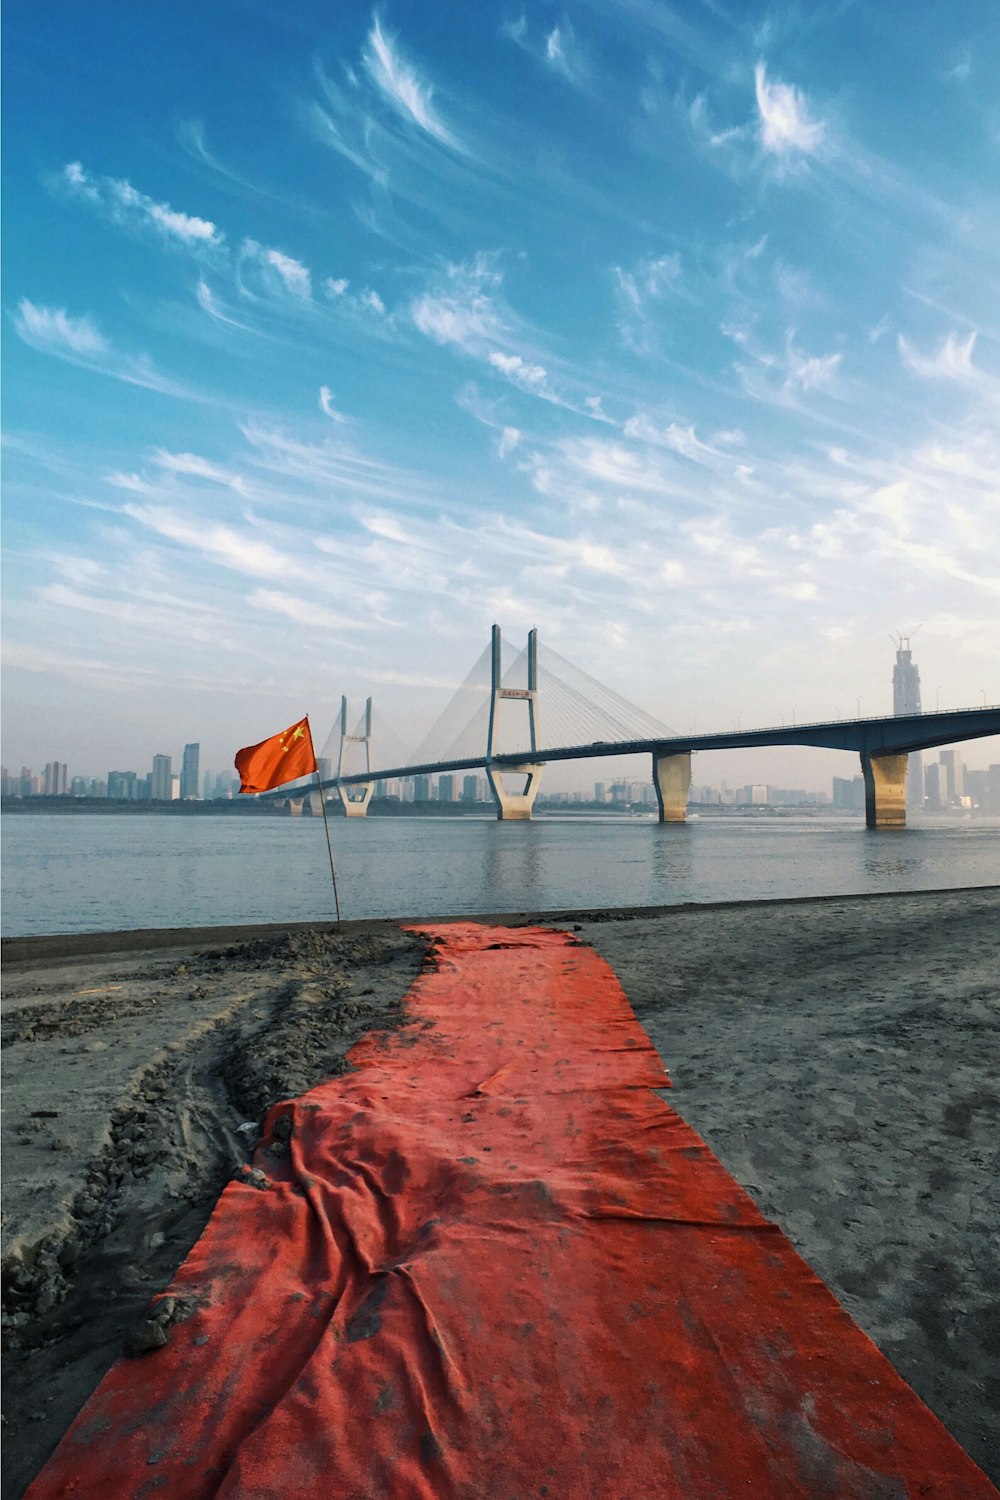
518, 712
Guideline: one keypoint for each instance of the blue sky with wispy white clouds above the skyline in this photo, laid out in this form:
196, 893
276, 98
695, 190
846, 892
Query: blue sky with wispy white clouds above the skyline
335, 335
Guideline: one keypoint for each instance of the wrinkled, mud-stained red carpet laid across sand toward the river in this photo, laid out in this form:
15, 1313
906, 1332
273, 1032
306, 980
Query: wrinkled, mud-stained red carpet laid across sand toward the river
494, 1264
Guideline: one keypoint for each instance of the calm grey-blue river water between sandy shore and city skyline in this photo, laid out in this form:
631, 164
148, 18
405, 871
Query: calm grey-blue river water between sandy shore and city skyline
104, 874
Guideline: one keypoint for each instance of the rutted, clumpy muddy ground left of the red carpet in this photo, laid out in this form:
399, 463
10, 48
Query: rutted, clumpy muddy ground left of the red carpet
134, 1087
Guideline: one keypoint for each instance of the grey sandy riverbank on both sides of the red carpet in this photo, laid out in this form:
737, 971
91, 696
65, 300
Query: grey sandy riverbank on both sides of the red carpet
840, 1057
